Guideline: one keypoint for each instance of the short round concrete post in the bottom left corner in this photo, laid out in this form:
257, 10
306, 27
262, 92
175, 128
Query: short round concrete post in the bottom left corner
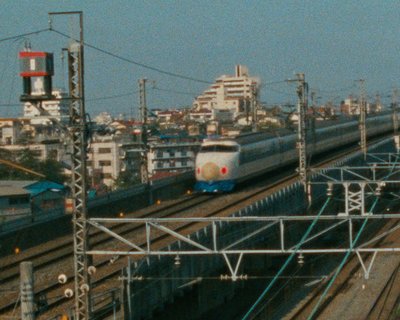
26, 291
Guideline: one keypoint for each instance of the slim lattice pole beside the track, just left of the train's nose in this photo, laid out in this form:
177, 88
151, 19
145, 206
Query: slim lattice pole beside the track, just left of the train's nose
143, 118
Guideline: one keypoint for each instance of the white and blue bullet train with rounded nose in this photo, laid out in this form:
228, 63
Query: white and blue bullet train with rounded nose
222, 163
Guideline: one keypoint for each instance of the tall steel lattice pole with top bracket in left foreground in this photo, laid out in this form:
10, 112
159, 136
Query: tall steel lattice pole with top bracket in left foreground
78, 130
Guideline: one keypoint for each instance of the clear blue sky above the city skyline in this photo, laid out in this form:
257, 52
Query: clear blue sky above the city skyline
332, 42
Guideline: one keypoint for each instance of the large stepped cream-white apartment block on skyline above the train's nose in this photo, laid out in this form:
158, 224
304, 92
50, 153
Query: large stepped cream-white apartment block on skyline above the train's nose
229, 92
